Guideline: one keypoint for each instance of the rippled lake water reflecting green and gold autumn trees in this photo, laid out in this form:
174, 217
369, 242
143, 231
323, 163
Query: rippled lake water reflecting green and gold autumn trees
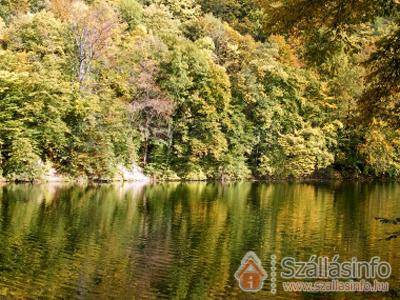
182, 241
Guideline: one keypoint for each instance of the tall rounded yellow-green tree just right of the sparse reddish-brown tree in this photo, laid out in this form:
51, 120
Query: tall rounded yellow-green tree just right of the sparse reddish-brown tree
201, 92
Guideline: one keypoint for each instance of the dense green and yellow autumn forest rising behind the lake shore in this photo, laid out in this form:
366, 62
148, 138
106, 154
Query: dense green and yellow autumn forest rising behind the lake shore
200, 89
